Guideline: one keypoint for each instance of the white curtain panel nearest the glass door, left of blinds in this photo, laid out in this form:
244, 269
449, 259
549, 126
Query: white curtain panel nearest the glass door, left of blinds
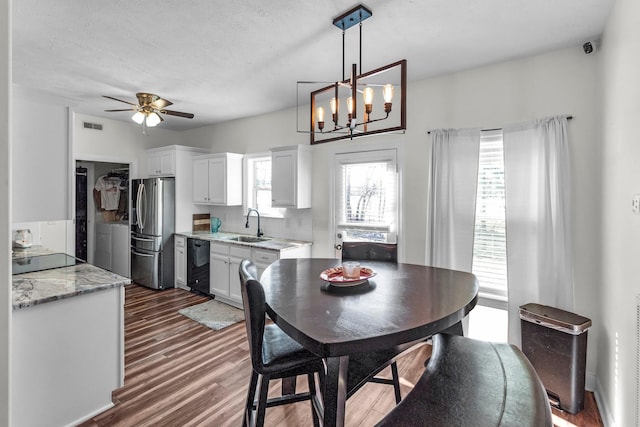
451, 202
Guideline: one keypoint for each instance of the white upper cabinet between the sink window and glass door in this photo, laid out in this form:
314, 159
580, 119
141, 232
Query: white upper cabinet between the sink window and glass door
291, 177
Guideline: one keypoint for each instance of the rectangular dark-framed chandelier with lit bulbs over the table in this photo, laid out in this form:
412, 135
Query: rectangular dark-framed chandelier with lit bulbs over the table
377, 90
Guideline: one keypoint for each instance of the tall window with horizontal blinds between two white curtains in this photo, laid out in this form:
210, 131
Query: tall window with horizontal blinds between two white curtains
489, 246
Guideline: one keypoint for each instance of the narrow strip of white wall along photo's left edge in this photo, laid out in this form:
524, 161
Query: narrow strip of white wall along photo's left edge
5, 211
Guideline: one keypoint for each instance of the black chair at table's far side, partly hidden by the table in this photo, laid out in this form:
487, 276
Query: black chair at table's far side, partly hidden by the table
374, 251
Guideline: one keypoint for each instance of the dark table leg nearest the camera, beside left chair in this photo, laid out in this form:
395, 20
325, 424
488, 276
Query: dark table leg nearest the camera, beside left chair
335, 393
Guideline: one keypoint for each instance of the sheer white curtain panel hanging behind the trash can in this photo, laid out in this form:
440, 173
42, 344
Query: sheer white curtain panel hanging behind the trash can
539, 253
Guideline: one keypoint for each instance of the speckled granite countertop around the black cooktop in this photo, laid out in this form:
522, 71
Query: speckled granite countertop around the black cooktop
40, 287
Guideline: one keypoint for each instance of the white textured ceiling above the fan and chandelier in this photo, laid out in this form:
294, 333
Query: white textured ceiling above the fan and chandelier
223, 60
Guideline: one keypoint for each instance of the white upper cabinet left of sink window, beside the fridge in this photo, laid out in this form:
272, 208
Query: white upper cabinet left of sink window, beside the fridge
217, 179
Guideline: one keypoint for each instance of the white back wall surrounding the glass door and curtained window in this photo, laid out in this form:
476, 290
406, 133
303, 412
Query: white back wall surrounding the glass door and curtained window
560, 82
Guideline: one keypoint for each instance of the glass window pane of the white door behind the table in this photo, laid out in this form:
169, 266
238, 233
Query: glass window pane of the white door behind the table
366, 205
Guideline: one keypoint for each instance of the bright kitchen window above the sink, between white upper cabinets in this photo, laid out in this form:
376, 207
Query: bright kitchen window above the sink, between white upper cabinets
258, 187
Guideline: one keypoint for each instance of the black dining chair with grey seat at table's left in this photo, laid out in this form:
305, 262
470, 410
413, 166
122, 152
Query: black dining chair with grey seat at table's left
274, 355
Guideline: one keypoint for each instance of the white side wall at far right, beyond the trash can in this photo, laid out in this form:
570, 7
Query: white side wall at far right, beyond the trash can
620, 180
